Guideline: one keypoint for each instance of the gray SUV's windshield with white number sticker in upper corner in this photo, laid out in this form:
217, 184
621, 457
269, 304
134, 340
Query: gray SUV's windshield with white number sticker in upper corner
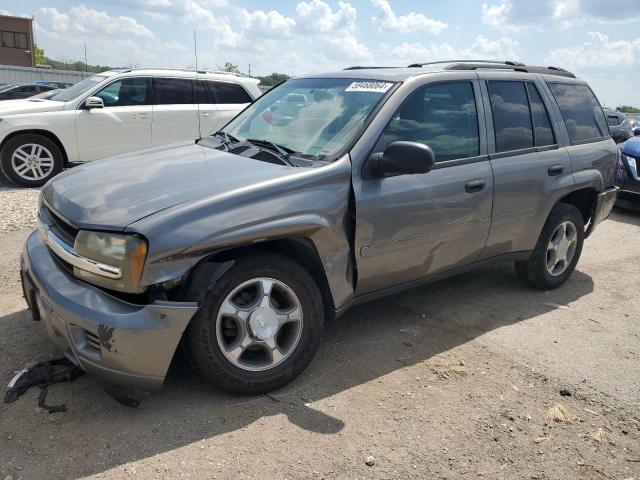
315, 117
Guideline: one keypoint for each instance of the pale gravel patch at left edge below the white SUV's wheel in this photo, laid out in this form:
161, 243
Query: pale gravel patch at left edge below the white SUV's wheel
17, 206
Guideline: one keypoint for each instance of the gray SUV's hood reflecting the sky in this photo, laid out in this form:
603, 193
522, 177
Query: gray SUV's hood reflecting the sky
115, 192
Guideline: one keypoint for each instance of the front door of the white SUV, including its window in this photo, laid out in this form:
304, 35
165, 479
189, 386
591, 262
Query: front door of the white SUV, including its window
123, 125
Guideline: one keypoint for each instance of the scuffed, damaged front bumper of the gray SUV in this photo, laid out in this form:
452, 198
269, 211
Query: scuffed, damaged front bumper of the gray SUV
122, 344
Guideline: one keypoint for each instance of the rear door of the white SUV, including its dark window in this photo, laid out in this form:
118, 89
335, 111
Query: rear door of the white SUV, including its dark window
175, 112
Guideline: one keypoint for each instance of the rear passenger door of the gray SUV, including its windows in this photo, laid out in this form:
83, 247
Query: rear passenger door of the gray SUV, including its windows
527, 161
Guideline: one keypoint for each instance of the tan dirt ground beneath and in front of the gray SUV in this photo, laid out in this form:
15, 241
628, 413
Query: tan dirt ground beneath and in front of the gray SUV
448, 381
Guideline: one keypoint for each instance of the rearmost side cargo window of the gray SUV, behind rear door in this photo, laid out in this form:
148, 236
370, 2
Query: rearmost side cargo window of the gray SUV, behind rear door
581, 111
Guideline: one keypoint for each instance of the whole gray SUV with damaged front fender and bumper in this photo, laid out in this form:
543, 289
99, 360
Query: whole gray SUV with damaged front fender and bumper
328, 191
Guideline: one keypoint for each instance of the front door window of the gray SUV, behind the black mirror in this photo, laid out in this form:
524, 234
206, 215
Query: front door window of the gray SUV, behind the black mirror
442, 116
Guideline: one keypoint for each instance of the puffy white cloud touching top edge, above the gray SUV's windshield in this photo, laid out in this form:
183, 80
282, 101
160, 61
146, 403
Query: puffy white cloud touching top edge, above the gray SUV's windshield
318, 16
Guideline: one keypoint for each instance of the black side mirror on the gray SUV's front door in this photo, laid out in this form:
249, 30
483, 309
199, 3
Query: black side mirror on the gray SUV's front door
400, 158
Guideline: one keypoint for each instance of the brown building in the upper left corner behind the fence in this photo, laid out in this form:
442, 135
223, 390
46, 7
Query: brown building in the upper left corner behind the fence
16, 41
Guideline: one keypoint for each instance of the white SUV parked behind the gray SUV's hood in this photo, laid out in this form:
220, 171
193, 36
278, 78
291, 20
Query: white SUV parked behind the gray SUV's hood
115, 112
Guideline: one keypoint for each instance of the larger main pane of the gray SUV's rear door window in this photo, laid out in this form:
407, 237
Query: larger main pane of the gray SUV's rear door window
511, 116
